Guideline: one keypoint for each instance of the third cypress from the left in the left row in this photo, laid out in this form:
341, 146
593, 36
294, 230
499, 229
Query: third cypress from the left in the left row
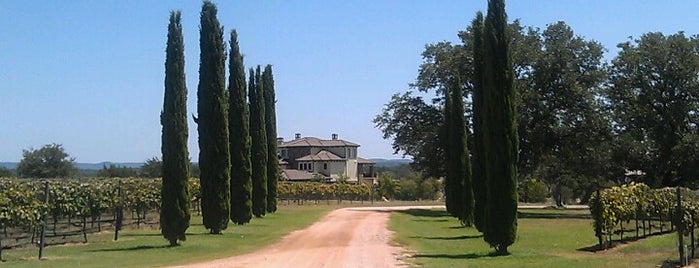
239, 131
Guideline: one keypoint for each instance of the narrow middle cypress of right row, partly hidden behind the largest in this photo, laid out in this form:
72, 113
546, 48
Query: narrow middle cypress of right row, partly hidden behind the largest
478, 167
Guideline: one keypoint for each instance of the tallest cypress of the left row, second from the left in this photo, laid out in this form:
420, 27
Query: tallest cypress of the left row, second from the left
214, 156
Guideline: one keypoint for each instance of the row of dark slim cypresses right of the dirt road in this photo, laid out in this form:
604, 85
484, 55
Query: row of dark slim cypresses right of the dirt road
484, 192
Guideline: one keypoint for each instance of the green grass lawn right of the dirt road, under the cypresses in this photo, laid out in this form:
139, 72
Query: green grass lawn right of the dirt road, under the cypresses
546, 238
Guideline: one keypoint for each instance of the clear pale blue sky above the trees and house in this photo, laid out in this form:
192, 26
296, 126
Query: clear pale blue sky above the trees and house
89, 74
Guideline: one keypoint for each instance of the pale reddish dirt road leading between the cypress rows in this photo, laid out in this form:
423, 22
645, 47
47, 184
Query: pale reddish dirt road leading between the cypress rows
348, 237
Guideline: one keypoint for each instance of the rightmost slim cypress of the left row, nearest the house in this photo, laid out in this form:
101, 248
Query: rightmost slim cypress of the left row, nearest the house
271, 129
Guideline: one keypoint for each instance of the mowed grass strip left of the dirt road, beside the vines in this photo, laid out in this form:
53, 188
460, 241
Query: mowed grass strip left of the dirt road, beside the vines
147, 247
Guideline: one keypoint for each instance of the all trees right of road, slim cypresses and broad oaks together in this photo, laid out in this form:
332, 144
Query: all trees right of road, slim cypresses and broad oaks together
516, 105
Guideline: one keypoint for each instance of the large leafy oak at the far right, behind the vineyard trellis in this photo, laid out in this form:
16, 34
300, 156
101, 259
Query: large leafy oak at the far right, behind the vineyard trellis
654, 96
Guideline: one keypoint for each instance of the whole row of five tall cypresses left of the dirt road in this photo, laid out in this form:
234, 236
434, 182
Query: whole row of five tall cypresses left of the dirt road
234, 136
